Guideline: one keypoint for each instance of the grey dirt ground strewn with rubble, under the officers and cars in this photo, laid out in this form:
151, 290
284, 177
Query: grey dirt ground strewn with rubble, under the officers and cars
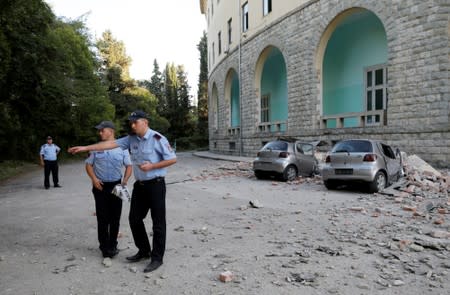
274, 238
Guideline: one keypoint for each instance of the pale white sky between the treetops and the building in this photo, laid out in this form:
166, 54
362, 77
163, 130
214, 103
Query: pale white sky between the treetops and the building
165, 30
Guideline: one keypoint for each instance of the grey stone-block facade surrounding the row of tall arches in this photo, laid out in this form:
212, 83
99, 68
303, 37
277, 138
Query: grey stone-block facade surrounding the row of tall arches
418, 112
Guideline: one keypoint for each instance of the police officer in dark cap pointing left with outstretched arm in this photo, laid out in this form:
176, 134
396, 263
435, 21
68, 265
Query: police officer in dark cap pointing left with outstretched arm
150, 154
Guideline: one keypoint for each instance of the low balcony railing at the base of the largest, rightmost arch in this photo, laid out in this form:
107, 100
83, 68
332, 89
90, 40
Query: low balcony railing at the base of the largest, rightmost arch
364, 119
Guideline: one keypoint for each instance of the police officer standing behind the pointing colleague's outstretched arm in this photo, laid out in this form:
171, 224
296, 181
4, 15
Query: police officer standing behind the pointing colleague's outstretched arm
105, 170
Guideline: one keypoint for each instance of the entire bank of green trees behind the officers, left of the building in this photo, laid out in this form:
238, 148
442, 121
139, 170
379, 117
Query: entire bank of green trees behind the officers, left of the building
55, 81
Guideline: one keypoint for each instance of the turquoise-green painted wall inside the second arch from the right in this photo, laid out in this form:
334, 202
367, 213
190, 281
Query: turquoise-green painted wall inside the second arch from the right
274, 83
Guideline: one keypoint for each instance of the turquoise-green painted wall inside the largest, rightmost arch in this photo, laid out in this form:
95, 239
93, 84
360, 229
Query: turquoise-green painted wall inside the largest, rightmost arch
358, 41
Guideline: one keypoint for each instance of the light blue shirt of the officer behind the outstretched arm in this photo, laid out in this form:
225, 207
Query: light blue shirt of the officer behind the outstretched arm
108, 164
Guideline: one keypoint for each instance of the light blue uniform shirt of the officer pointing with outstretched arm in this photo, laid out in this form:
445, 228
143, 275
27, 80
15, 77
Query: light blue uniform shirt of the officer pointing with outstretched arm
152, 147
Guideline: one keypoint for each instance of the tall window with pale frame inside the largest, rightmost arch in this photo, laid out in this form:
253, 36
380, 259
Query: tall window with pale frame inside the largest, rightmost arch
376, 92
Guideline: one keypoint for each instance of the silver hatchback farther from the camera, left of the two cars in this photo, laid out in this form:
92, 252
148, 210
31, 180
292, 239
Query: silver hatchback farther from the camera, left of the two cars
287, 158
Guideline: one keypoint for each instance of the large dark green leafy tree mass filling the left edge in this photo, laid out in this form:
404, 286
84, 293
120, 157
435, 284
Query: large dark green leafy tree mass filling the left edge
48, 85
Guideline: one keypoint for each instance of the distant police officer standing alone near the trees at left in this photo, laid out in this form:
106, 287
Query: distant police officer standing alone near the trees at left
48, 155
